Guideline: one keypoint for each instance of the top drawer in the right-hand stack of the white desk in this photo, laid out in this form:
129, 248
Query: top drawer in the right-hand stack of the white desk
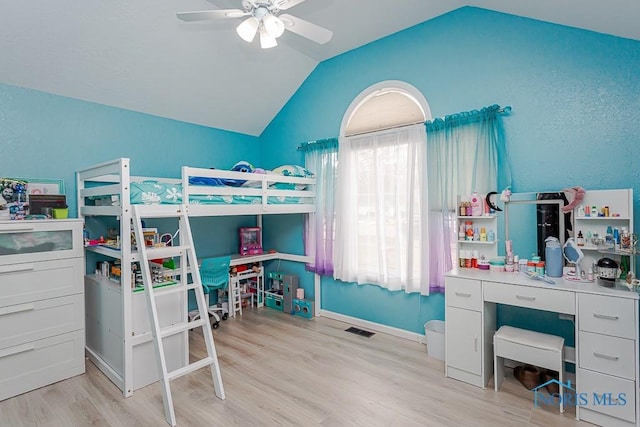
607, 315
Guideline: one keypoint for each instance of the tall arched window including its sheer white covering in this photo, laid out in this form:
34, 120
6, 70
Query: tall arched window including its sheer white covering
381, 194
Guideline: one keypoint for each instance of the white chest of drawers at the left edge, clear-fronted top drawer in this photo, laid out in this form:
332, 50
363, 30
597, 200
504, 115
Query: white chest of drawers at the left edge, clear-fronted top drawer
41, 304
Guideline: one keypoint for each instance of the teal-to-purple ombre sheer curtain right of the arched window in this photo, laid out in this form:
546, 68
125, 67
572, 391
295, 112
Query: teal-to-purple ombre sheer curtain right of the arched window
463, 153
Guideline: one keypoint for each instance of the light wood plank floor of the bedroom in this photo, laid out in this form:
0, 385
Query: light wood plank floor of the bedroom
288, 371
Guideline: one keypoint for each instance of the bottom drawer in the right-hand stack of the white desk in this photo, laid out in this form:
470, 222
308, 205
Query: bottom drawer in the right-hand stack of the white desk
607, 394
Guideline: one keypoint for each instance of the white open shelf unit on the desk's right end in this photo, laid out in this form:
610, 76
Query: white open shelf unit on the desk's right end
619, 202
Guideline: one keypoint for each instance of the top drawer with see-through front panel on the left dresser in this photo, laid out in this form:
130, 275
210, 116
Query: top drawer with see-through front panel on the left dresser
30, 241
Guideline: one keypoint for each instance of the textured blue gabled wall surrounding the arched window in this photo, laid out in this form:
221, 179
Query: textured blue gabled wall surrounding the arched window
576, 114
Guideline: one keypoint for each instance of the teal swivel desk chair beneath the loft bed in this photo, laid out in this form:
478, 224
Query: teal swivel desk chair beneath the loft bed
214, 273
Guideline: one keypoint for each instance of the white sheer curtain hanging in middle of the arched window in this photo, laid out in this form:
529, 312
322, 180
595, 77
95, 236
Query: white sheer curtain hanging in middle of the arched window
381, 210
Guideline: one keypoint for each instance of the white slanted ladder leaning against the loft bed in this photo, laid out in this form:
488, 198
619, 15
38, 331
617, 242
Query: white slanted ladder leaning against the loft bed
188, 266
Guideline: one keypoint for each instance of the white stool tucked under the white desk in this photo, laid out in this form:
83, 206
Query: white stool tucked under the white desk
534, 348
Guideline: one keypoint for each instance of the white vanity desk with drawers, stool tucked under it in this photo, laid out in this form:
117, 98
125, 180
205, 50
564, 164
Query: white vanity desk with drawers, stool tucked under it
606, 335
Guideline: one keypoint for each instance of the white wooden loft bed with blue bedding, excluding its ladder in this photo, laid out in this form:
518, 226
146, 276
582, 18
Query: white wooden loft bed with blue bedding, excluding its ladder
118, 332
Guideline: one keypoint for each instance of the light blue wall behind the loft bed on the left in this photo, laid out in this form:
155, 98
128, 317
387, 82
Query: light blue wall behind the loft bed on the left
49, 136
